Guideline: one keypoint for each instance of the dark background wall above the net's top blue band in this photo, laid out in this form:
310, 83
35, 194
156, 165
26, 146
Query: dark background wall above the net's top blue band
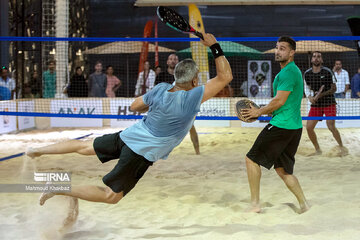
111, 18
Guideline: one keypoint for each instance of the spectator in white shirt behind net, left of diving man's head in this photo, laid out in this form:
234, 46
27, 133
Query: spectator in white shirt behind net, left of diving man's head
145, 81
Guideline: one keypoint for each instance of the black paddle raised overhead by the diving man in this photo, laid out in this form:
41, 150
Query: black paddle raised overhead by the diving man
176, 21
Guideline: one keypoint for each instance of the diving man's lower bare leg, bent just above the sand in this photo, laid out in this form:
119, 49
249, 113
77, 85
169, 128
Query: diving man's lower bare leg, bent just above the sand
88, 193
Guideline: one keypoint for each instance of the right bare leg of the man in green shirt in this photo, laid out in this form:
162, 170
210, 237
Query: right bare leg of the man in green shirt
294, 186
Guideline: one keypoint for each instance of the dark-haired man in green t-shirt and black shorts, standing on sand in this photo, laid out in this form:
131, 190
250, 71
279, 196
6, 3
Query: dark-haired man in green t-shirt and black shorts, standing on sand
277, 144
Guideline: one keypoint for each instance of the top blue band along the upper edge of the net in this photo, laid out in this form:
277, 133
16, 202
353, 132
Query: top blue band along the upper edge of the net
233, 39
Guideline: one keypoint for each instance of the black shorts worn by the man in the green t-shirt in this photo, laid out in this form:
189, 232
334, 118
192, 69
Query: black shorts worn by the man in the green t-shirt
276, 146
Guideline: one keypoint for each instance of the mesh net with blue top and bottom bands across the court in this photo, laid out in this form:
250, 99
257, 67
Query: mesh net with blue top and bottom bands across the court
100, 77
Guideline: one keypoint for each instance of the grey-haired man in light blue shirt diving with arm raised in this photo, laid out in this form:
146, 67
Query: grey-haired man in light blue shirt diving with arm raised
171, 113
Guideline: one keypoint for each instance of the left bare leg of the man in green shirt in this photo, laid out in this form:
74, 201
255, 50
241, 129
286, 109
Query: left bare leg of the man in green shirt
254, 175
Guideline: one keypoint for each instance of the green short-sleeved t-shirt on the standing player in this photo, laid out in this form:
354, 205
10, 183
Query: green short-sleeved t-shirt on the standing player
290, 79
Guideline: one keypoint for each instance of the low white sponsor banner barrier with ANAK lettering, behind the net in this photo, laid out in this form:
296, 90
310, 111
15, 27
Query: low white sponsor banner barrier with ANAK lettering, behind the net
121, 106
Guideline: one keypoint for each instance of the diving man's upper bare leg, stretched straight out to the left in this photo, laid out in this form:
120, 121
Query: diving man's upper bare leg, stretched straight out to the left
71, 146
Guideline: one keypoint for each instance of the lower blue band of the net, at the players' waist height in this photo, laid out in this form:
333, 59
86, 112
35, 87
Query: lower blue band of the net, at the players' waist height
109, 116
